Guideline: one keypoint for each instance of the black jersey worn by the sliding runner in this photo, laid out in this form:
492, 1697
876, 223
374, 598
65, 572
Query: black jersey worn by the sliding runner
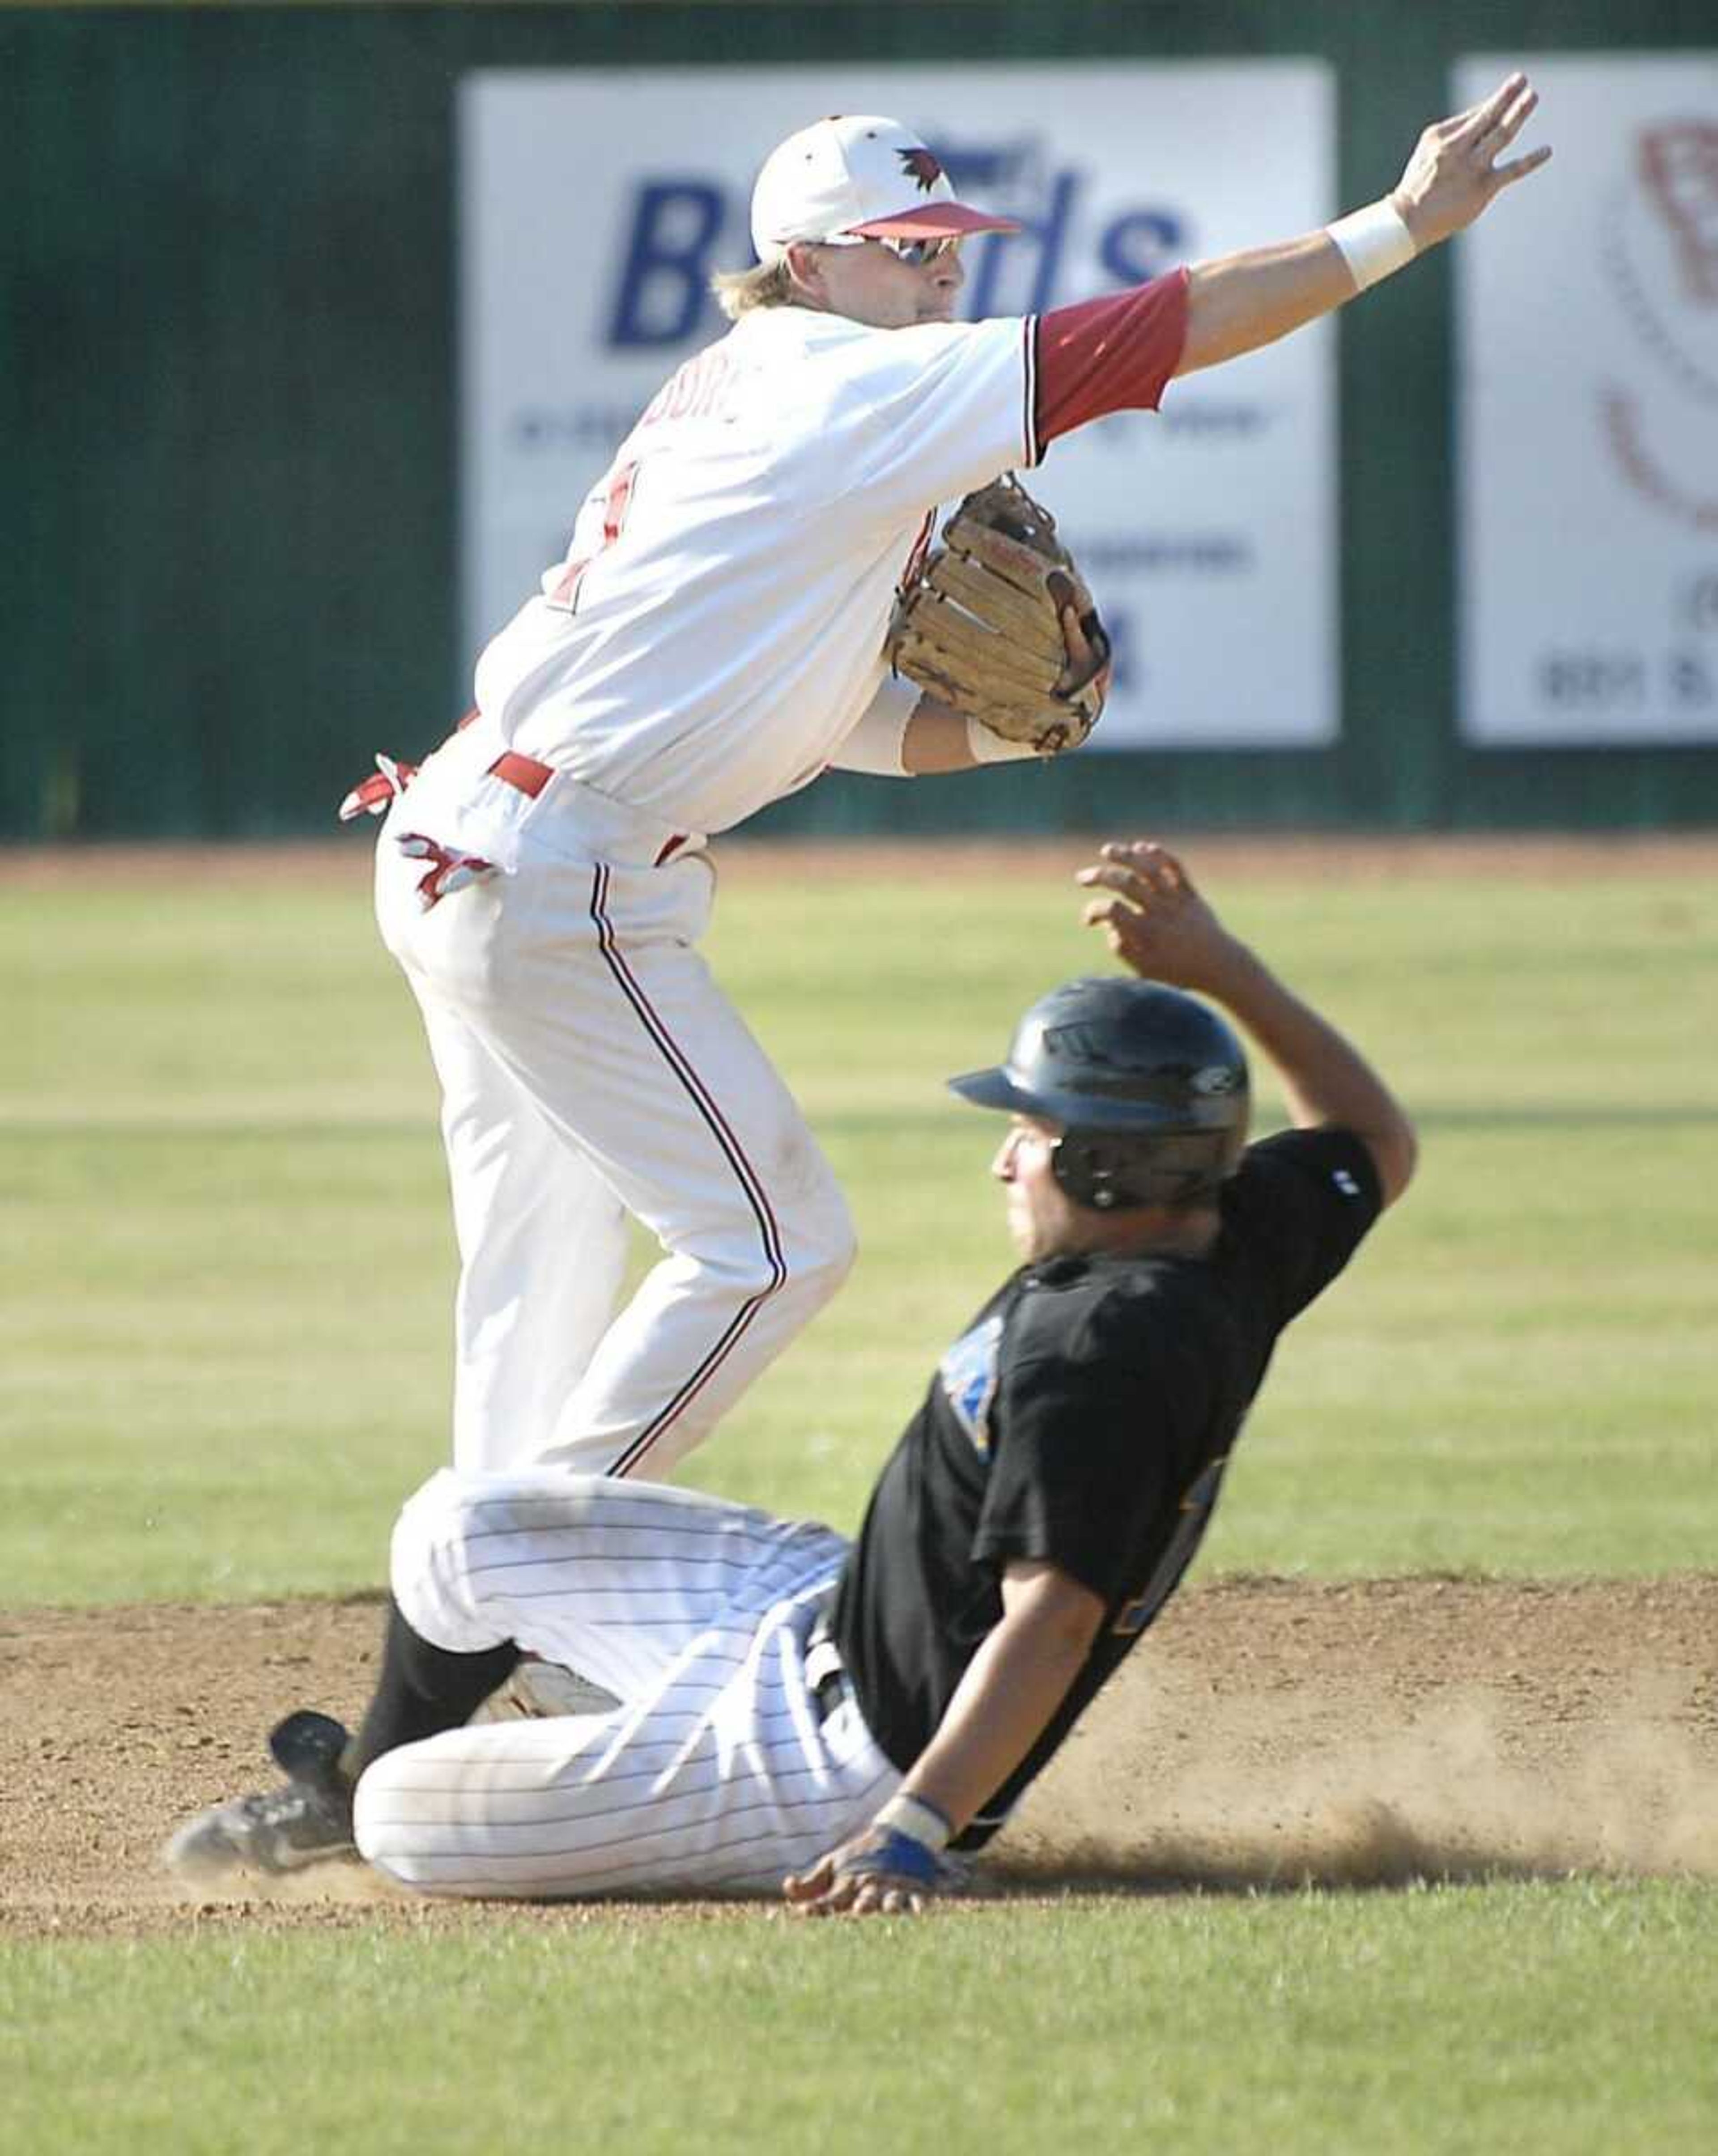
1085, 1420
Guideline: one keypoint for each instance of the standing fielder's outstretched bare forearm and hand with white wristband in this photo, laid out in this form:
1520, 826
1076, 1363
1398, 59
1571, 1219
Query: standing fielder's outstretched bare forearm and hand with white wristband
1245, 301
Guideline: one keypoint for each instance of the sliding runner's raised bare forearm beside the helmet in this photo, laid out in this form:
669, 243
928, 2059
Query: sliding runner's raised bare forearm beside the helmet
1325, 1075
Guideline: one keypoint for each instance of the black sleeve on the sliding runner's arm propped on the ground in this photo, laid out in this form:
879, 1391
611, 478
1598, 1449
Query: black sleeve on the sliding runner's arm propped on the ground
1094, 1446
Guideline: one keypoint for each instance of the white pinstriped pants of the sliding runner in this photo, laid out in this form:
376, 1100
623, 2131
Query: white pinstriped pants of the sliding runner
717, 1771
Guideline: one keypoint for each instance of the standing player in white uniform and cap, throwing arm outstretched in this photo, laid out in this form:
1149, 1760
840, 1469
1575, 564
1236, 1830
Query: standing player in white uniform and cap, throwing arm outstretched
712, 641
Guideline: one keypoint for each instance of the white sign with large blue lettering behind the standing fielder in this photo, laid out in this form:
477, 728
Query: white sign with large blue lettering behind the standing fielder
594, 208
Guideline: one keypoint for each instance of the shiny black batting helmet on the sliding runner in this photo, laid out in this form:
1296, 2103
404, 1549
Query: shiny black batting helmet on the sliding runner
1146, 1086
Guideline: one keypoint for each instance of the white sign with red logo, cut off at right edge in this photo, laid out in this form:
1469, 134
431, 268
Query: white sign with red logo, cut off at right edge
1590, 413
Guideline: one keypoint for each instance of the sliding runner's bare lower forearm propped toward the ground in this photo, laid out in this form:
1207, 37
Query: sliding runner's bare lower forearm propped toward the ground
1001, 1709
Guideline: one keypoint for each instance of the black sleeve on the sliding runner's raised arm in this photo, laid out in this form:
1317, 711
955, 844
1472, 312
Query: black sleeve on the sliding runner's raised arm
1297, 1213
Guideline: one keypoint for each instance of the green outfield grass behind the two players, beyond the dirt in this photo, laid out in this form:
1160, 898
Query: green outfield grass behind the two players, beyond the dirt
227, 1271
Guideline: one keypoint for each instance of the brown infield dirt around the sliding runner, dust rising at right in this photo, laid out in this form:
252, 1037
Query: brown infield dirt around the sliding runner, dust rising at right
1271, 1732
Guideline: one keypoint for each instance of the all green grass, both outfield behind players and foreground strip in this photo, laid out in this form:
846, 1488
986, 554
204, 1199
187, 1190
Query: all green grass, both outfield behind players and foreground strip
225, 1359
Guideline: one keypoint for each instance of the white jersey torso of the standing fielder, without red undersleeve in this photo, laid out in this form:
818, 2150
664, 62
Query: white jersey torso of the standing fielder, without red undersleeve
719, 622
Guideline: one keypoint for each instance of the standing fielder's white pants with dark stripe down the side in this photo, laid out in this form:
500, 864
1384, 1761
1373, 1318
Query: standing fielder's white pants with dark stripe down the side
592, 1068
